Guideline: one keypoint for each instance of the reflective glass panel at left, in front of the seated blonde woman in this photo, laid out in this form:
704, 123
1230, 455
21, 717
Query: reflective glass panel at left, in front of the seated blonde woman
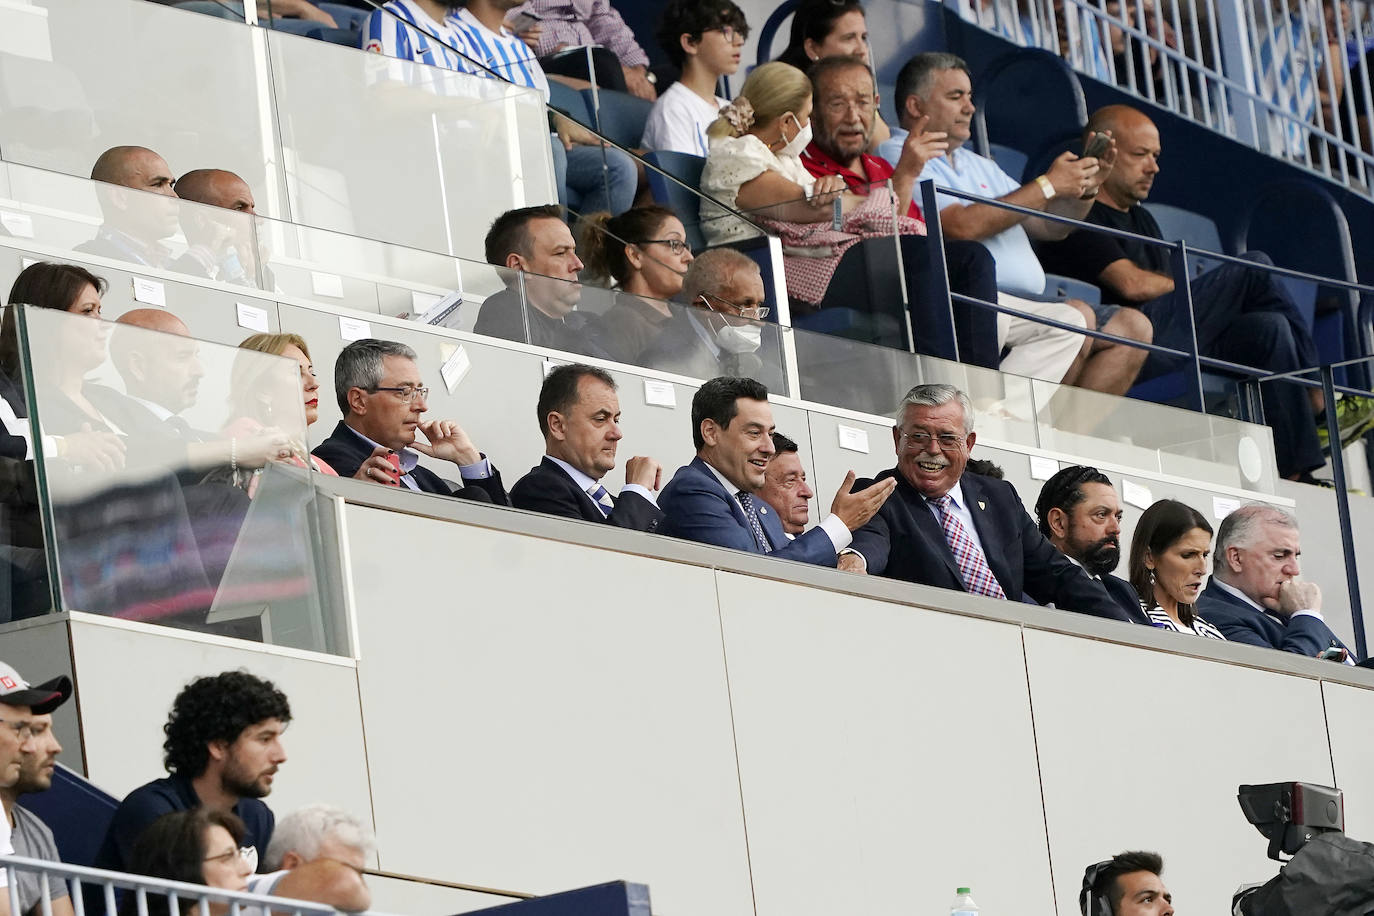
174, 480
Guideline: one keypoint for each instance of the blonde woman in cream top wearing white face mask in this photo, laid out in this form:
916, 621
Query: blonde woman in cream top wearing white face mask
755, 161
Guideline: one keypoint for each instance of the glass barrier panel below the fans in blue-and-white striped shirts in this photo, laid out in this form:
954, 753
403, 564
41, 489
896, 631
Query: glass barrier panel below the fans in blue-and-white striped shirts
403, 152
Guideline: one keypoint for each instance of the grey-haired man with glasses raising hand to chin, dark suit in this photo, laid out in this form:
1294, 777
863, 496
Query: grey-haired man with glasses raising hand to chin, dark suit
383, 398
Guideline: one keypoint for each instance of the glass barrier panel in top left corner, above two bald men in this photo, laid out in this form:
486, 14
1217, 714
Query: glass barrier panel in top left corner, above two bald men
74, 95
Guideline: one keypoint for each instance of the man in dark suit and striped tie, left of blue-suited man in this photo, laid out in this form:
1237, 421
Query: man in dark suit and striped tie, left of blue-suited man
579, 415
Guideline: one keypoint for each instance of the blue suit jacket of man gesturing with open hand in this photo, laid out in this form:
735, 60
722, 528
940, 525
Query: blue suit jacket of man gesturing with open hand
699, 509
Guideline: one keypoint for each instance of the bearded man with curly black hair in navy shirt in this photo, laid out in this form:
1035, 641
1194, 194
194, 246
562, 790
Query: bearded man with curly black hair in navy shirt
223, 749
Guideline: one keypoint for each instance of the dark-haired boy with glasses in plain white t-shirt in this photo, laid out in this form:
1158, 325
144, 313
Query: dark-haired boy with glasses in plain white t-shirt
703, 39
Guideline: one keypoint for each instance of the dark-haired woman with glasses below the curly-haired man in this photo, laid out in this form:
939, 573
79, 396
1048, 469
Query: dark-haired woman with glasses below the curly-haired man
199, 847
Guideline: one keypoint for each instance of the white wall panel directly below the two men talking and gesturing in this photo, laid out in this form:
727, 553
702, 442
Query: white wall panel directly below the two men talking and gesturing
886, 755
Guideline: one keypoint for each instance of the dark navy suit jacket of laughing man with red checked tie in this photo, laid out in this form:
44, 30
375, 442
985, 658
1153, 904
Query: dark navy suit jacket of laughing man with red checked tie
905, 542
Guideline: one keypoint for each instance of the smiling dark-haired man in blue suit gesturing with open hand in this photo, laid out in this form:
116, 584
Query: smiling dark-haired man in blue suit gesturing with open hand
715, 499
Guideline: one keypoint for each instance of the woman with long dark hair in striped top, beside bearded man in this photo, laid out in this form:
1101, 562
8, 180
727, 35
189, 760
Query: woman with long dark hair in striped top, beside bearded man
1169, 565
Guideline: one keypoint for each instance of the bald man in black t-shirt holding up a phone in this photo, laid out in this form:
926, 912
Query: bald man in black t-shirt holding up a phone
1243, 315
